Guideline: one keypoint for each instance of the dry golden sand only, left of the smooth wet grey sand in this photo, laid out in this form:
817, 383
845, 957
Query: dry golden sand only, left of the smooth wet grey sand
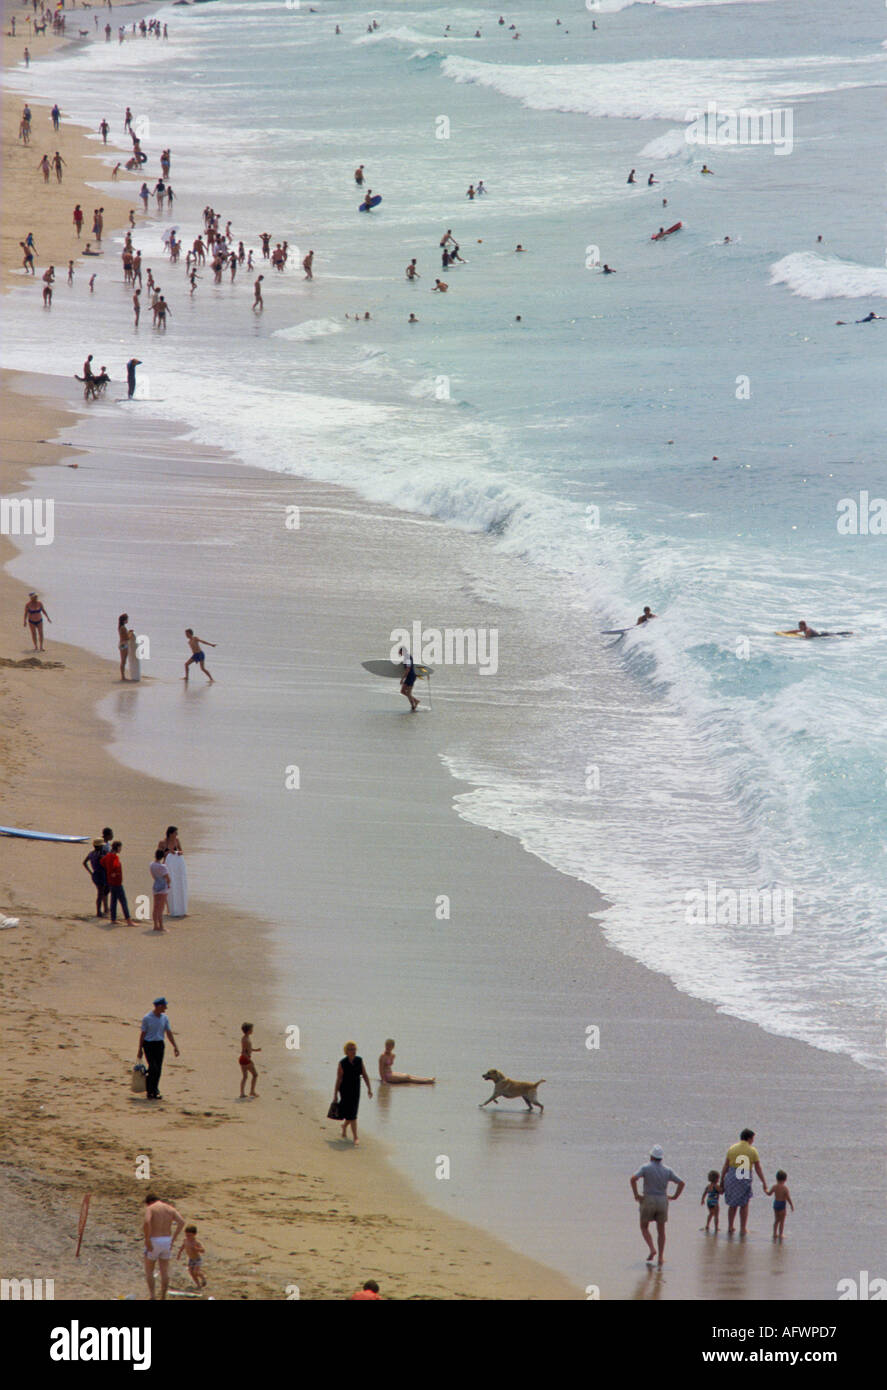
297, 1224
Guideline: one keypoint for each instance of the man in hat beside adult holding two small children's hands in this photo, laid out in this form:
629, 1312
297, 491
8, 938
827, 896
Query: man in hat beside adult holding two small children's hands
735, 1184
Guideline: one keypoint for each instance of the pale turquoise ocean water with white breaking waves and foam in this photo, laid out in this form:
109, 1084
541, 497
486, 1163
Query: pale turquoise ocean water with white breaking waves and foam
687, 433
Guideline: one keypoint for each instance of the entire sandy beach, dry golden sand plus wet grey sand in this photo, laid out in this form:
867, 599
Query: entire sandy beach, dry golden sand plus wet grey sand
343, 885
